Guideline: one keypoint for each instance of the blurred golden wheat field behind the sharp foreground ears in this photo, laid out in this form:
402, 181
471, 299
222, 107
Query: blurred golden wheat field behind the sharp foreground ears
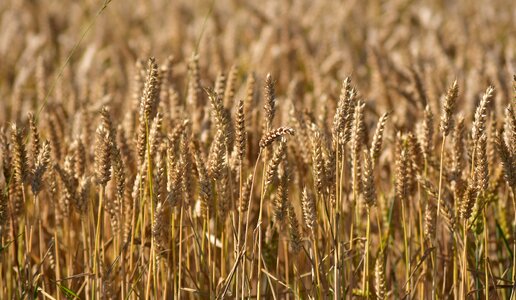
313, 42
